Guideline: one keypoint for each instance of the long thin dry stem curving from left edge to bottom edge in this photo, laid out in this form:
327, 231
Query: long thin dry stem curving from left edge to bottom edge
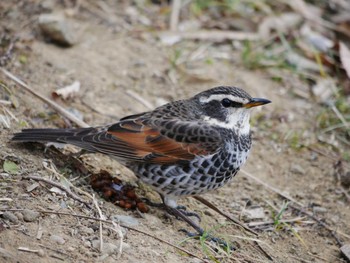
110, 222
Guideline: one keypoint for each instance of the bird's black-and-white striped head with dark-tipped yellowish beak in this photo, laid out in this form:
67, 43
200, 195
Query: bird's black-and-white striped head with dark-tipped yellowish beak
228, 107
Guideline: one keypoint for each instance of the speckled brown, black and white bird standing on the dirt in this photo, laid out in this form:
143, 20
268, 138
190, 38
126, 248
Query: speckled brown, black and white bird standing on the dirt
182, 148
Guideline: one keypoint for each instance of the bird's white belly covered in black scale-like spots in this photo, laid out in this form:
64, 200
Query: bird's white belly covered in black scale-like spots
197, 176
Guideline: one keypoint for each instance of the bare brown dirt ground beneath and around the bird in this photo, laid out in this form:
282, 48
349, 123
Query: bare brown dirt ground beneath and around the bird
112, 57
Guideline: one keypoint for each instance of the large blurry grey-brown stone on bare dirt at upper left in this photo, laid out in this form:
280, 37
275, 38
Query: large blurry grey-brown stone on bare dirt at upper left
57, 28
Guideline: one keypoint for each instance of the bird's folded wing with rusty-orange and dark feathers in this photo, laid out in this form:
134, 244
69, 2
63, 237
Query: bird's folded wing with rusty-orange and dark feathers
170, 142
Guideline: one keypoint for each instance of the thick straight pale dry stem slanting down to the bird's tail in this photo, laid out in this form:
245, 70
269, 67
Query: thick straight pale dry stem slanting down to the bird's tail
51, 103
